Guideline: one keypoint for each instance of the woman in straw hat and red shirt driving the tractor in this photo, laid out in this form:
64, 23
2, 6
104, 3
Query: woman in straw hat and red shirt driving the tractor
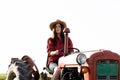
56, 42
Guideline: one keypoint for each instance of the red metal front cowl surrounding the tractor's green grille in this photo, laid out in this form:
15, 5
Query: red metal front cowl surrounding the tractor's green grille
92, 63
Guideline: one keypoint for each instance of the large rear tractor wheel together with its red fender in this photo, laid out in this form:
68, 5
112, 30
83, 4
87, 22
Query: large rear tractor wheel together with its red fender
22, 69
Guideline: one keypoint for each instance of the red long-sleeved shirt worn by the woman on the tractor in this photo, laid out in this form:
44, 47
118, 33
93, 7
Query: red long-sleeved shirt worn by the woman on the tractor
58, 46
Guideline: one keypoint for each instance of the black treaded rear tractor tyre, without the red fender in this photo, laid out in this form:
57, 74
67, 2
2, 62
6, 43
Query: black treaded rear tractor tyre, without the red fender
18, 71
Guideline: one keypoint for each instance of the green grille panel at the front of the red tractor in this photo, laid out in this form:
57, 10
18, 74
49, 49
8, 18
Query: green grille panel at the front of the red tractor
107, 70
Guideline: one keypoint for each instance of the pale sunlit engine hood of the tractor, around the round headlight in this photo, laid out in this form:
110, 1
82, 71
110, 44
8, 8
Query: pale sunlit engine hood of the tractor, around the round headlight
71, 59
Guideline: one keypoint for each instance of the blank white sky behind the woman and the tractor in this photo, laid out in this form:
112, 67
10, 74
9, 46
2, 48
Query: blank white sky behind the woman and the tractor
24, 26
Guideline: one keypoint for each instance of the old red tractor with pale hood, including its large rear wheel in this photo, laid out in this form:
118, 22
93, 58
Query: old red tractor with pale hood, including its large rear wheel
88, 65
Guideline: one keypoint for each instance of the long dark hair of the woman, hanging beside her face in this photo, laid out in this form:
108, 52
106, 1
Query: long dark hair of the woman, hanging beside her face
54, 36
